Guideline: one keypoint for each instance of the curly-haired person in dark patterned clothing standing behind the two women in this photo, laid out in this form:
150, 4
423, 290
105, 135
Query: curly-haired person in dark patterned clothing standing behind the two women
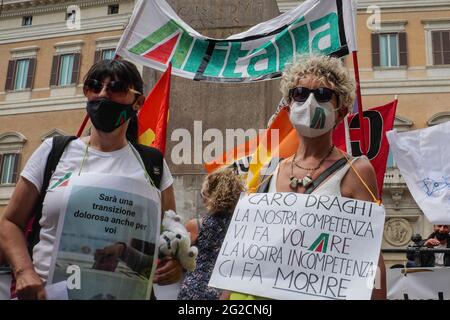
220, 192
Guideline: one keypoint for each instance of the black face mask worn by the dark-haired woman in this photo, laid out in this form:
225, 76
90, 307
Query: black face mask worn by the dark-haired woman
107, 115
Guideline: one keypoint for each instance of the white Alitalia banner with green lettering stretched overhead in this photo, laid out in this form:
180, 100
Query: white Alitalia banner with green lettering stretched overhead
156, 36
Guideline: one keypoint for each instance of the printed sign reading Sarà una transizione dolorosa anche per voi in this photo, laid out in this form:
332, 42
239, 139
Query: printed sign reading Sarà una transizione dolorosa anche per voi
106, 238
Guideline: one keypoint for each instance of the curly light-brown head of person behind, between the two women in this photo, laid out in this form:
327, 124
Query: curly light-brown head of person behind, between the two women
221, 190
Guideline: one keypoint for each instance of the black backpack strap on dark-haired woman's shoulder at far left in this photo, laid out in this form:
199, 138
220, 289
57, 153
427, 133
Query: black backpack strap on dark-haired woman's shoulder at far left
59, 144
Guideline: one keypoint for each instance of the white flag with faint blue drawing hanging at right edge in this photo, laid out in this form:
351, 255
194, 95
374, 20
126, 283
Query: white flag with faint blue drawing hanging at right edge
423, 157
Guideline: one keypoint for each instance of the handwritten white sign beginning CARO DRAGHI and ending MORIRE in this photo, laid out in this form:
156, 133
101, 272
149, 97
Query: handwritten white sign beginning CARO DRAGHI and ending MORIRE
295, 246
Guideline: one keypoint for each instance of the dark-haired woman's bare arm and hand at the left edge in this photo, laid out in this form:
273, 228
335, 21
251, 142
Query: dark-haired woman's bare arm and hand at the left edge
13, 243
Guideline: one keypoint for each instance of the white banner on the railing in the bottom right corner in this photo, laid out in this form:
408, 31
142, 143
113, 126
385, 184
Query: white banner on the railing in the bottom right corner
418, 284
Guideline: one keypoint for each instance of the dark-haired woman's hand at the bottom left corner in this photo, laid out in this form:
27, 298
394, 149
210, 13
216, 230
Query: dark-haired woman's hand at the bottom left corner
29, 286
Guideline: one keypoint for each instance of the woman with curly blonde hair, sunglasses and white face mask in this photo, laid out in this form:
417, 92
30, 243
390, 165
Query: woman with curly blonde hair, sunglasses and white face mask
319, 93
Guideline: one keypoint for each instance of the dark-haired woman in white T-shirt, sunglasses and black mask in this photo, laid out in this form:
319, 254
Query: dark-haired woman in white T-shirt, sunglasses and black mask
113, 89
